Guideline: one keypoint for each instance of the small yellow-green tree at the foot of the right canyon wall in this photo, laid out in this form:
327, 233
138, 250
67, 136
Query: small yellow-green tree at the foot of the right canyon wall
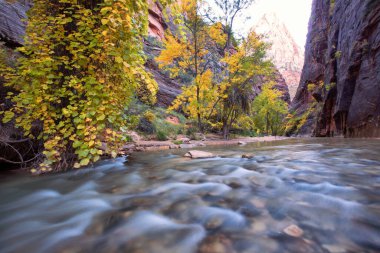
269, 110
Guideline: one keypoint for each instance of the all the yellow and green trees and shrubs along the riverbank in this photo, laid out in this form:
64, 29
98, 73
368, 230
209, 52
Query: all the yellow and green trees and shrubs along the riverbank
81, 74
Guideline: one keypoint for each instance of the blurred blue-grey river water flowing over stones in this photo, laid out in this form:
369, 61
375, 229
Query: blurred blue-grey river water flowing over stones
161, 202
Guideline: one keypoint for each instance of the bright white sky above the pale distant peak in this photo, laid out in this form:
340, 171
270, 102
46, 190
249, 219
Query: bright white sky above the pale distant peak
294, 13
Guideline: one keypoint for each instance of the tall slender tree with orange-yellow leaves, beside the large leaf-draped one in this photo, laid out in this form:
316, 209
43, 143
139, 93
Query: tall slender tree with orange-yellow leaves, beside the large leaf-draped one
190, 51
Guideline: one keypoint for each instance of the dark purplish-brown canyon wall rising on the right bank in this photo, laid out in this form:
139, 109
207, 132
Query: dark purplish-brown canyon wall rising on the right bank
343, 59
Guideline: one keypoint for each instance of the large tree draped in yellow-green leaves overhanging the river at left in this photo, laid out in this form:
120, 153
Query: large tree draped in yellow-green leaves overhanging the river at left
83, 63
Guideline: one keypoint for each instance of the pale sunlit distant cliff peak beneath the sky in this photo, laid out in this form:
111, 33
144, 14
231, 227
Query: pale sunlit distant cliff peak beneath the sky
286, 55
